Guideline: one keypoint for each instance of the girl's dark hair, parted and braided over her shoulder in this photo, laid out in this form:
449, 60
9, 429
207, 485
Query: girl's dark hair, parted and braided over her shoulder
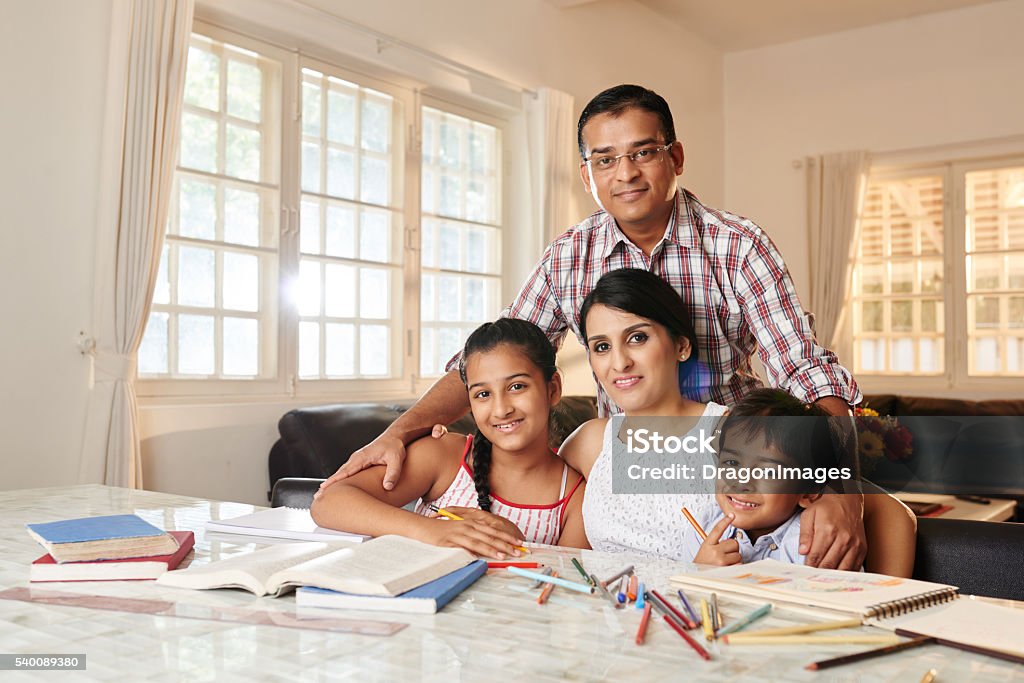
535, 346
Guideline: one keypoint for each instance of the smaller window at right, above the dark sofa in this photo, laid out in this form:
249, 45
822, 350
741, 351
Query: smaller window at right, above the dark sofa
940, 274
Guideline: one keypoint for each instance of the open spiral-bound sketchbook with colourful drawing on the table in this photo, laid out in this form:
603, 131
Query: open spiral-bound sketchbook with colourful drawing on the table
906, 606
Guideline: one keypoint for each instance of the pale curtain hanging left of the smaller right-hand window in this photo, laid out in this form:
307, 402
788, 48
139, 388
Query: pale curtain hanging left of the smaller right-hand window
836, 186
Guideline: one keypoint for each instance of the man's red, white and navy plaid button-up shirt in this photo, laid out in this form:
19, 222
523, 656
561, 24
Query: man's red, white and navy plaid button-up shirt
735, 281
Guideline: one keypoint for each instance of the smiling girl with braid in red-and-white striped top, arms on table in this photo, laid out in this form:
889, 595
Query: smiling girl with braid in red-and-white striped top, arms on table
509, 370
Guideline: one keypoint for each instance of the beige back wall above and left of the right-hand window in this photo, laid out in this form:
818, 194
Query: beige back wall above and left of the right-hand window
935, 80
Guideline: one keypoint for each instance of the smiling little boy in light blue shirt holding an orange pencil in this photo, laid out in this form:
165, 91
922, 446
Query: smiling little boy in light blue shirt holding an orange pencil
760, 520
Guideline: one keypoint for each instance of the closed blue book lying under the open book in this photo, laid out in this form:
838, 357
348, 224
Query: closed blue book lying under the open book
426, 600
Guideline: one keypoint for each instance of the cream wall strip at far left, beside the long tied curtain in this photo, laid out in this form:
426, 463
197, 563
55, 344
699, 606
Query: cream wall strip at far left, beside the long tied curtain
54, 75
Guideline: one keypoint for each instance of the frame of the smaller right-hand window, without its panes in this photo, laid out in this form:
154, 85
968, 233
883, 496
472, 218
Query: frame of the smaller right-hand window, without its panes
956, 377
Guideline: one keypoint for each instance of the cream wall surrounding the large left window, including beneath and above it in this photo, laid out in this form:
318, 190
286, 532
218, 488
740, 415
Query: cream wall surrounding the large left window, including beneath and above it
54, 80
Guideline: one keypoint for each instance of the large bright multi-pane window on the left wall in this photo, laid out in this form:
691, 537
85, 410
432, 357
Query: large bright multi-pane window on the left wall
311, 246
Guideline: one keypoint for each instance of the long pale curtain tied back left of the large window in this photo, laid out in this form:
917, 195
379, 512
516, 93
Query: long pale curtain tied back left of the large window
149, 79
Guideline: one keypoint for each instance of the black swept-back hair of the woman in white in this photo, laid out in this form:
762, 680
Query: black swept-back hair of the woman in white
645, 294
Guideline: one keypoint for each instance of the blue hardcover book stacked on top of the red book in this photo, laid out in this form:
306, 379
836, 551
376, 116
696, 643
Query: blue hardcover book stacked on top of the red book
107, 538
